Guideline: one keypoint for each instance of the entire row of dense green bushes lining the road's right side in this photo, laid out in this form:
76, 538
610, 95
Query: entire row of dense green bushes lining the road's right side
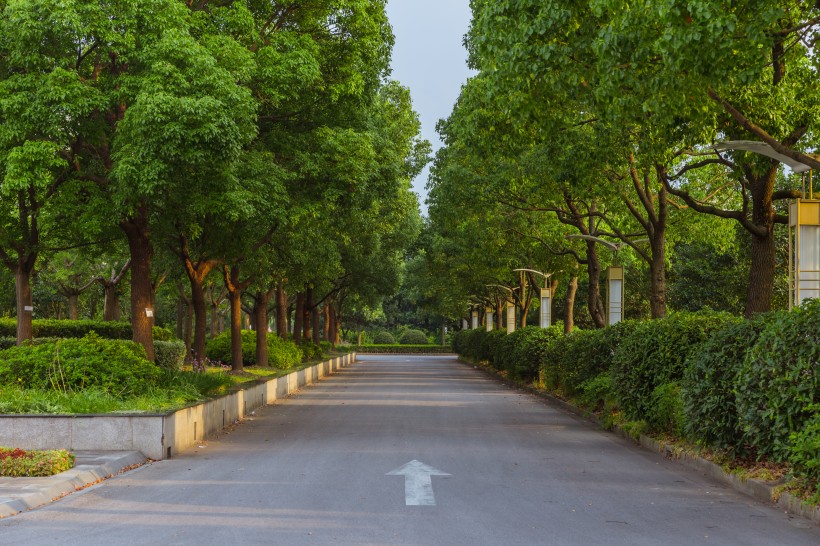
747, 387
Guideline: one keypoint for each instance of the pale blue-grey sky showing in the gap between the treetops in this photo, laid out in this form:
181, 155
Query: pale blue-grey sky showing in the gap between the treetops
430, 59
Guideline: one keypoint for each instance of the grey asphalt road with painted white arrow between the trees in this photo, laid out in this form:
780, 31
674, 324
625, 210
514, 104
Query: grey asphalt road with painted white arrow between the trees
319, 469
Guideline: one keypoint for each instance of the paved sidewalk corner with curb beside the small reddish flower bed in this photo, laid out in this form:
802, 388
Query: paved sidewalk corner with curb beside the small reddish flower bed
21, 494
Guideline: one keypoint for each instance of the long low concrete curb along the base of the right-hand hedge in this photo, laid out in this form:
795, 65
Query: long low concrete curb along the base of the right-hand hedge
767, 492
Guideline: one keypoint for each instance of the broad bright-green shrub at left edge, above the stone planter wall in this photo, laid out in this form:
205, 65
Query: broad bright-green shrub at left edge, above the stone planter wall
116, 366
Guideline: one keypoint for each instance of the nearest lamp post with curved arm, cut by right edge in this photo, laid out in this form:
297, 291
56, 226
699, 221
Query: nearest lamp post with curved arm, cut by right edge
804, 225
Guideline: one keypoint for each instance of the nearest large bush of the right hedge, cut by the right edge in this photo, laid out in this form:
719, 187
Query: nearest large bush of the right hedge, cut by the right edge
779, 382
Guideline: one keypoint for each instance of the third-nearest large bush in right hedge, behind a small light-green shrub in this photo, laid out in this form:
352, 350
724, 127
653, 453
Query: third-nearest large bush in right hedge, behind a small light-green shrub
654, 353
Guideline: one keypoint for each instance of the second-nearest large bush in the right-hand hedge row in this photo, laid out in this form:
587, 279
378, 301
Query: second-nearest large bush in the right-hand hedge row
709, 385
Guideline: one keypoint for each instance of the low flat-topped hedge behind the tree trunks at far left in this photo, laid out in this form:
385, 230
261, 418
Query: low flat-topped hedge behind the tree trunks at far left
79, 328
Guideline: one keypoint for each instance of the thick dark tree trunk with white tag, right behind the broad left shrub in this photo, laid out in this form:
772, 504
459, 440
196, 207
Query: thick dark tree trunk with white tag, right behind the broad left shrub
142, 291
